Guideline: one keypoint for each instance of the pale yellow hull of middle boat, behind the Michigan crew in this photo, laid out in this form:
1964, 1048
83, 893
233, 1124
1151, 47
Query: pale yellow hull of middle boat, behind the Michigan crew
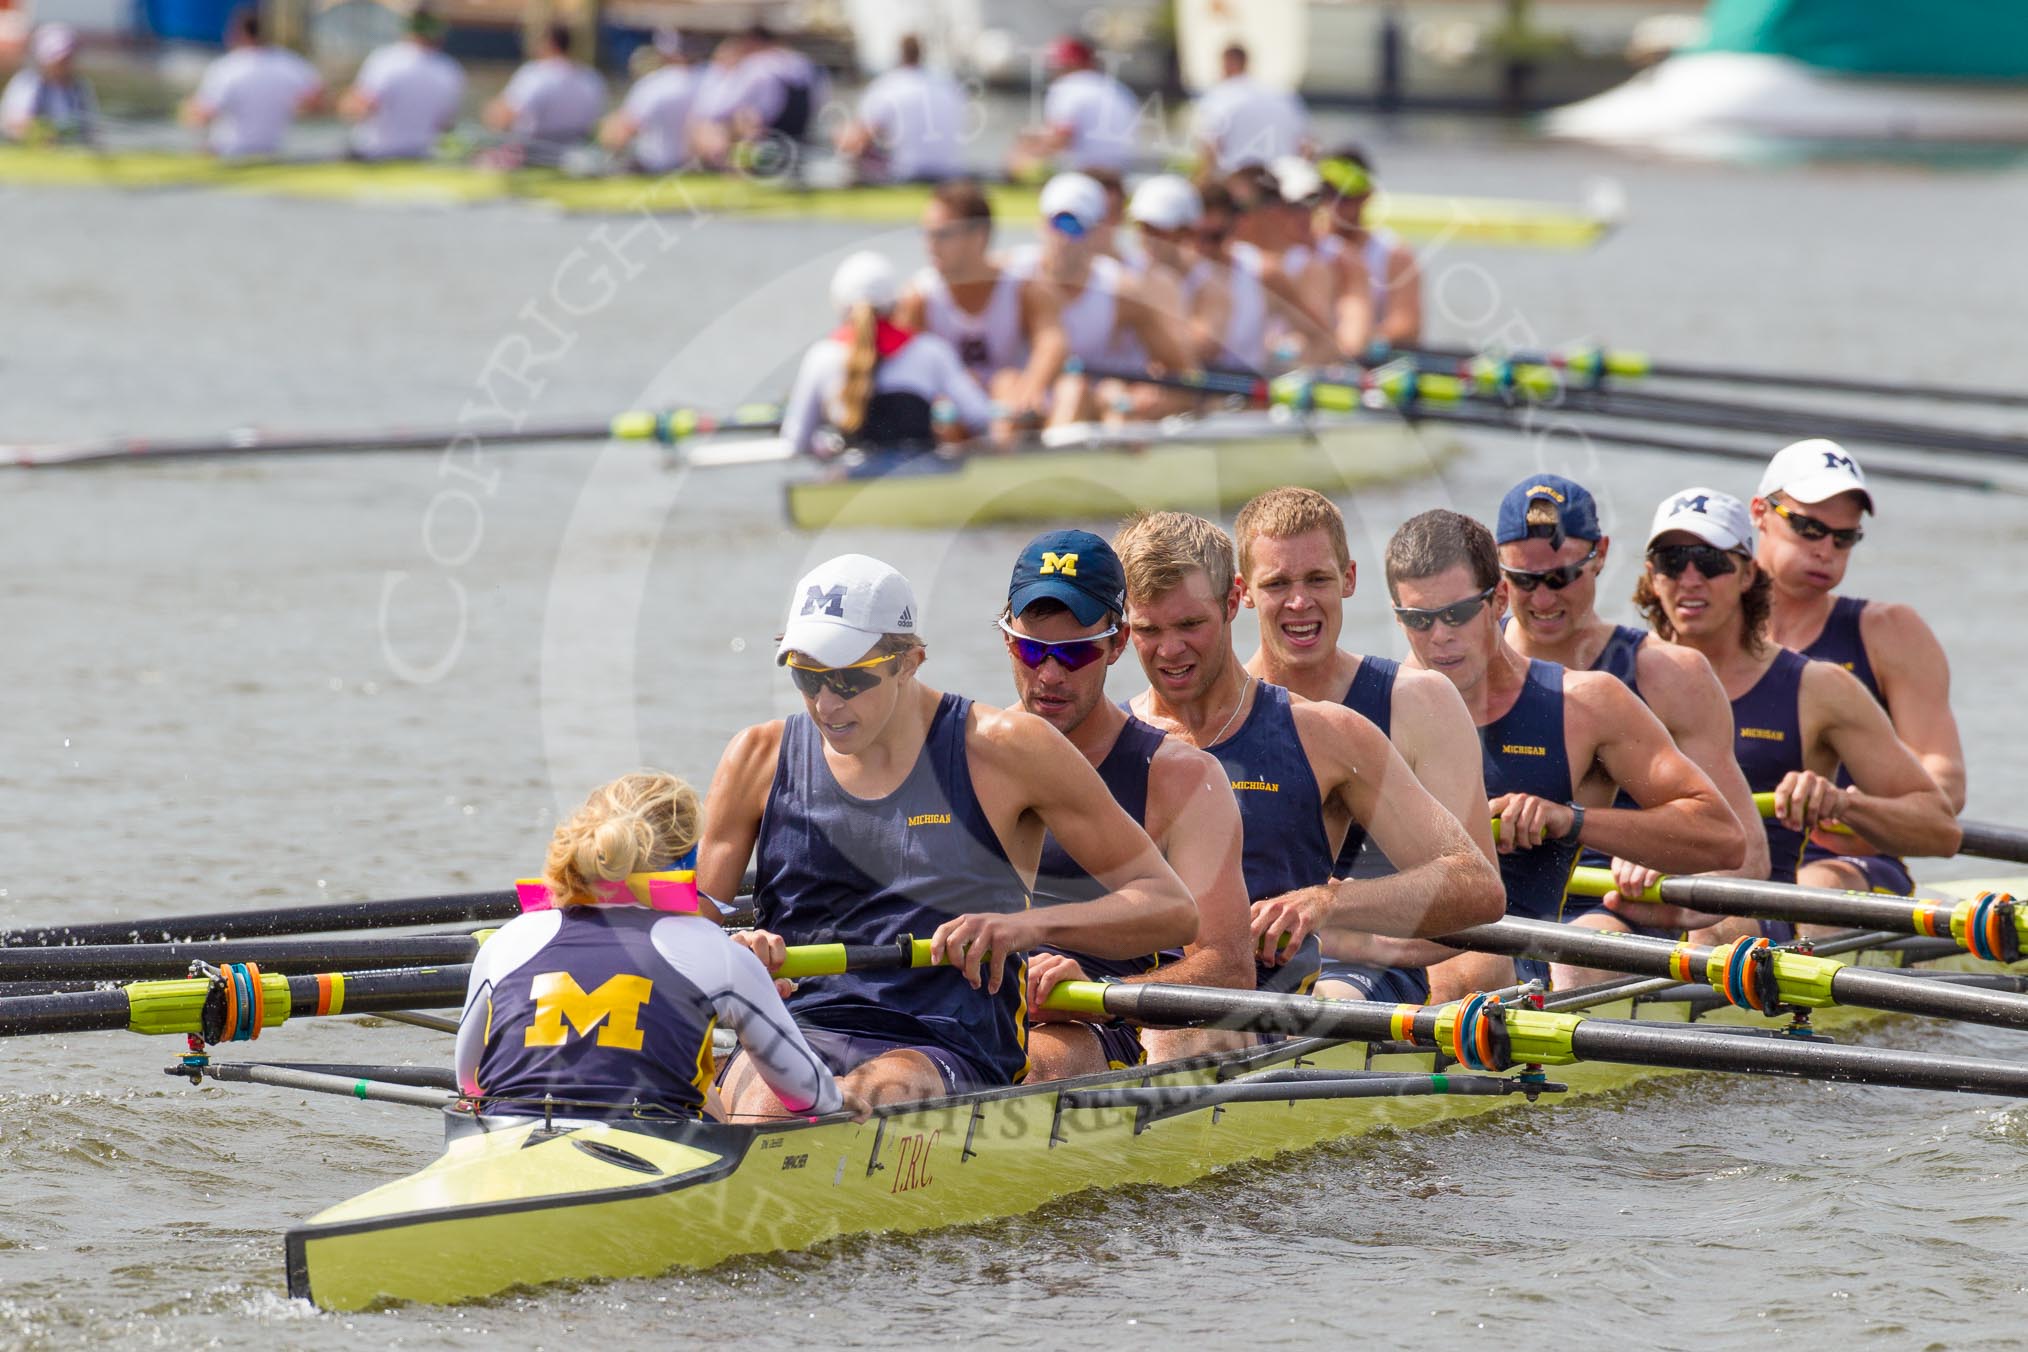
1214, 465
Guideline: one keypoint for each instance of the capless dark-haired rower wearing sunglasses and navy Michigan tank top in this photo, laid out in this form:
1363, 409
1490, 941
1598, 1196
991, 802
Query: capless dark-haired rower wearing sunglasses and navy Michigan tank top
1556, 745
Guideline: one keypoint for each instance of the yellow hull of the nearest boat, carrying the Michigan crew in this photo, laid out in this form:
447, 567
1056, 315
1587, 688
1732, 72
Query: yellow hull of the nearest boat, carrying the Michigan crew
632, 1201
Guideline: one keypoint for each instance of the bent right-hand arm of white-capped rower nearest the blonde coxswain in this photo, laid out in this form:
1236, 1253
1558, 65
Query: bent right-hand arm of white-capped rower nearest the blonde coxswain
1147, 907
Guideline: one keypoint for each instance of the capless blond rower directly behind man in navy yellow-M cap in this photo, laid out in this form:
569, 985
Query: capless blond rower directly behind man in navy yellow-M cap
1305, 773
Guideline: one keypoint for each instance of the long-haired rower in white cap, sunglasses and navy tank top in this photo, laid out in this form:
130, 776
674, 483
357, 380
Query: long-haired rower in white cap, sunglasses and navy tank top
1796, 721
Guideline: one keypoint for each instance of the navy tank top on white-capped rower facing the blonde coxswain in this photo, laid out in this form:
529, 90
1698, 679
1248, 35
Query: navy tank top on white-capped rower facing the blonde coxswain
837, 869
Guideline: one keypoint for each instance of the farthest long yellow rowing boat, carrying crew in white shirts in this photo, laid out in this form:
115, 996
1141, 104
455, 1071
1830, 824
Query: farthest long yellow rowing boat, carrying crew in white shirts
1465, 220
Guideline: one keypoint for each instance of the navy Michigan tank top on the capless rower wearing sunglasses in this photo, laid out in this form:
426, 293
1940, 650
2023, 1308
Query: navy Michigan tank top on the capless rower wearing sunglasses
1524, 753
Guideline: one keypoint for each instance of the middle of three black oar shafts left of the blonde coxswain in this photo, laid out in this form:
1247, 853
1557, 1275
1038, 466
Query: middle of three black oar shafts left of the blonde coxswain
173, 960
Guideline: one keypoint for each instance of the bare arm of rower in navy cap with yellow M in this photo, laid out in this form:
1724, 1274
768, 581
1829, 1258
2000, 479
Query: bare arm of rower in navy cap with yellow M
1198, 828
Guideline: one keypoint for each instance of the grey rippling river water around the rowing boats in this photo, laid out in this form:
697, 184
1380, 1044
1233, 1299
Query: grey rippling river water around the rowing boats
271, 684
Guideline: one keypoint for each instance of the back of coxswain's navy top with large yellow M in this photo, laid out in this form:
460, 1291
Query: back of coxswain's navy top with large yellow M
599, 1017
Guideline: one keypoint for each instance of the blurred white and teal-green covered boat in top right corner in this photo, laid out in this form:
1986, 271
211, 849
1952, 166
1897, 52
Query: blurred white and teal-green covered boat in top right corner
1776, 76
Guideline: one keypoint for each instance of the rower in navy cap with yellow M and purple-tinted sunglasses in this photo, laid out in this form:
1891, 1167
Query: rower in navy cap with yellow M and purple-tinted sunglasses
1064, 631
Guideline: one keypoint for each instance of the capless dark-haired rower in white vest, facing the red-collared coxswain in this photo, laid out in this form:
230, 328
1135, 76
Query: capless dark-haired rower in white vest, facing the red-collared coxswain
976, 301
